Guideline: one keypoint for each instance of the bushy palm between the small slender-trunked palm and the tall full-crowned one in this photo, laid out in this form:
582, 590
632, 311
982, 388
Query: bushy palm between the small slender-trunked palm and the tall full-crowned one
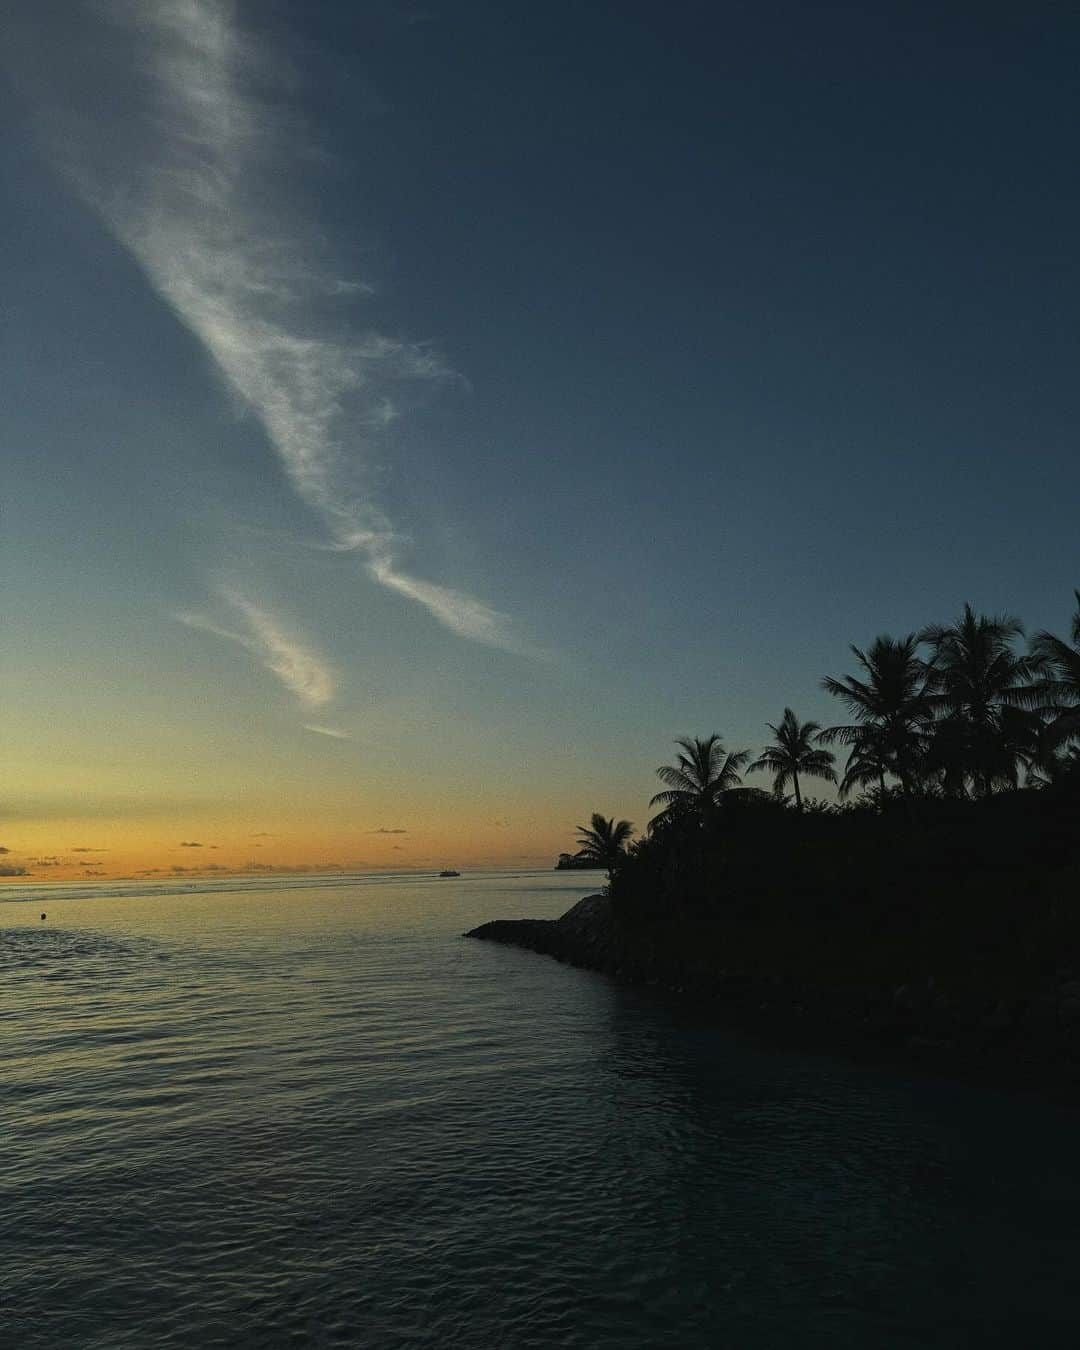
890, 708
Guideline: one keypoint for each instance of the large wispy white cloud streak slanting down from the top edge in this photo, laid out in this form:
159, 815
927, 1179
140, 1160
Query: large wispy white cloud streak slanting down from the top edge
192, 210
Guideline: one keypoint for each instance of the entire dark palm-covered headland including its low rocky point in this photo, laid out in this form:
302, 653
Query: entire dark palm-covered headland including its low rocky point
931, 911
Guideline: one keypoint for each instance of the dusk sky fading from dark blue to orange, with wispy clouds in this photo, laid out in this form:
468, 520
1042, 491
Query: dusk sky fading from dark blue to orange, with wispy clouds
415, 416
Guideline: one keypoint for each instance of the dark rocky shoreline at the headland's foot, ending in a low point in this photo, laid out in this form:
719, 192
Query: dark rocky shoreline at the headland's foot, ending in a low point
1027, 1039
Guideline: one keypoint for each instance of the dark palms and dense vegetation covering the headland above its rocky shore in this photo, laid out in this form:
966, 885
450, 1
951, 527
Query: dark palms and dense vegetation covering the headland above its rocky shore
958, 812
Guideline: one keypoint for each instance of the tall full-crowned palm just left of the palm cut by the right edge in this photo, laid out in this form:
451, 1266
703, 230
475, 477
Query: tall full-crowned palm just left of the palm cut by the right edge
977, 677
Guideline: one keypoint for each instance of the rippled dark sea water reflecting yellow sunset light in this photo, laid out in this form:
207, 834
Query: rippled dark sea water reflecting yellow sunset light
310, 1114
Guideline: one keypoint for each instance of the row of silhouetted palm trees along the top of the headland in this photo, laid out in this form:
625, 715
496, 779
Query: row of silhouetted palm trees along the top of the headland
973, 719
